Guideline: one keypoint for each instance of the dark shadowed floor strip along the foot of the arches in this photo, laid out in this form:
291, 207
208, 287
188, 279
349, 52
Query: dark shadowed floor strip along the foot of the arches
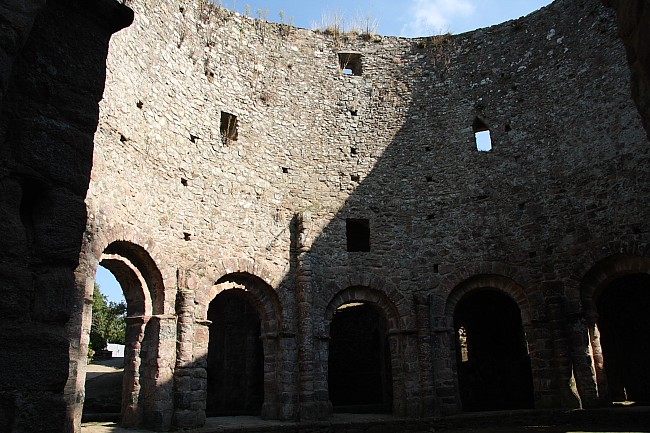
629, 419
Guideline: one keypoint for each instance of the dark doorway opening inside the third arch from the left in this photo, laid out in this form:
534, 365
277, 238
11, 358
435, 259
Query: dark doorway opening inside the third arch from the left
359, 367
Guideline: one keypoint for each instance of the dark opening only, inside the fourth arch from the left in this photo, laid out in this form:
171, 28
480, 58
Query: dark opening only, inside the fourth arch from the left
494, 370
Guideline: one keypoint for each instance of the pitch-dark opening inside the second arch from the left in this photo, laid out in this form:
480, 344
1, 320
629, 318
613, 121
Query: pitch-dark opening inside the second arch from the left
235, 357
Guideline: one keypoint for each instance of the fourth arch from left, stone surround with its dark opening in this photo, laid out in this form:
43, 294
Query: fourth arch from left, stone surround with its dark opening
486, 336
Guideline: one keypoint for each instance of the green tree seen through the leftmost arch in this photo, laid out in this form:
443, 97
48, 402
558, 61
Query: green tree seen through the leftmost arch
108, 324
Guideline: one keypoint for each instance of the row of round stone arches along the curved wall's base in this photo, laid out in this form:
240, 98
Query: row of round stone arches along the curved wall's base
234, 353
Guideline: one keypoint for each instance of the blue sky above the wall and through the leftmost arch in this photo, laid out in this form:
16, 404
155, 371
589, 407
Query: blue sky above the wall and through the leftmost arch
409, 18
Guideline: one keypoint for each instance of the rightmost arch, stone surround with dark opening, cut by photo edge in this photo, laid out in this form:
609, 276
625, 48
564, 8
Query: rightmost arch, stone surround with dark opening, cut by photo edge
615, 296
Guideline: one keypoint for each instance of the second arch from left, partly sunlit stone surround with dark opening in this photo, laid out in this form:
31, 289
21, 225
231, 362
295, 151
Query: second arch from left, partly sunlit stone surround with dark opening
256, 311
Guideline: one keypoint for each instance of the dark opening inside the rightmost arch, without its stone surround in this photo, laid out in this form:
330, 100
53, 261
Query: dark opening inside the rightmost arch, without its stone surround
623, 321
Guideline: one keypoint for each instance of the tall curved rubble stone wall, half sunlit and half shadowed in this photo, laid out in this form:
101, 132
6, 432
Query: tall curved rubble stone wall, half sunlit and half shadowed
562, 187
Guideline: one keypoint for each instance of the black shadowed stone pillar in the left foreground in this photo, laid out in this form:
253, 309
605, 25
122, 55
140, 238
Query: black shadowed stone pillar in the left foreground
53, 71
